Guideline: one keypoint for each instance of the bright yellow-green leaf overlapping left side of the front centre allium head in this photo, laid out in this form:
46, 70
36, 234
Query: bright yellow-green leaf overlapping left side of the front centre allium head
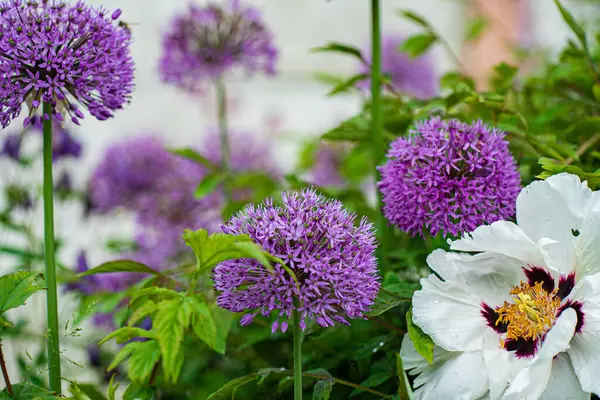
213, 249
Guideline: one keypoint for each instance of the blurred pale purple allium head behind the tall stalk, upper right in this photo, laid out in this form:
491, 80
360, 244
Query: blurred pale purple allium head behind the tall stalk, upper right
413, 76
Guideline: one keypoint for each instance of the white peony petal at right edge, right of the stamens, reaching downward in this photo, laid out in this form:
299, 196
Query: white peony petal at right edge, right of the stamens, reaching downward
585, 346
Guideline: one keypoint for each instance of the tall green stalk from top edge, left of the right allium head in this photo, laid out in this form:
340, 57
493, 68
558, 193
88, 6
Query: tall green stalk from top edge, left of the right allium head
377, 142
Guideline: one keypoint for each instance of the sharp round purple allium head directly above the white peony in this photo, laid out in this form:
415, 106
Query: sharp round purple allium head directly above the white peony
449, 176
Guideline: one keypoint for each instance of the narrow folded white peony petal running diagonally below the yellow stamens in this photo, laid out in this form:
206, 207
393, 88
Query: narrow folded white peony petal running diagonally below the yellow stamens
531, 381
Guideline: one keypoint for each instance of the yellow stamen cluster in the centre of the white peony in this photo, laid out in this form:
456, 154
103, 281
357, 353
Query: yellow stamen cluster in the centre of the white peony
532, 314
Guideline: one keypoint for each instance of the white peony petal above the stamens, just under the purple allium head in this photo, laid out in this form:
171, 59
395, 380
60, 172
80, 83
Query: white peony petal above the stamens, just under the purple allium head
505, 238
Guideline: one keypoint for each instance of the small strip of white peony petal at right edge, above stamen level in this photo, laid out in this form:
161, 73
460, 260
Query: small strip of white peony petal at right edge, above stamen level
587, 245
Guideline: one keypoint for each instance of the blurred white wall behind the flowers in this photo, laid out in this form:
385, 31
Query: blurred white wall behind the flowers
291, 103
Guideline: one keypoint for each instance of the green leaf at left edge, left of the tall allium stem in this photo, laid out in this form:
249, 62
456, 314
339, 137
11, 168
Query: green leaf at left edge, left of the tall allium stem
17, 287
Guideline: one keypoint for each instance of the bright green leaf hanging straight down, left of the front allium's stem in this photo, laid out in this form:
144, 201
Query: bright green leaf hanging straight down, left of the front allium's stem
170, 323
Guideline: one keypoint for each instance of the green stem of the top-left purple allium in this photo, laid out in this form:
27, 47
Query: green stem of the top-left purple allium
51, 294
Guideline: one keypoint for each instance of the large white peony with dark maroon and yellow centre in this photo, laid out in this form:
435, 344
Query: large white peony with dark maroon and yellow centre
517, 314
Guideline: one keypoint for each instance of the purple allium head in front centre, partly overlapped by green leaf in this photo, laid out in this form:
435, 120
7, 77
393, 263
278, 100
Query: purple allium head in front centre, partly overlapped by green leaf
332, 258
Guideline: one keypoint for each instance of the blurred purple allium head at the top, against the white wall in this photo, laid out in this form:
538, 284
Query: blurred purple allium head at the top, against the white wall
206, 42
